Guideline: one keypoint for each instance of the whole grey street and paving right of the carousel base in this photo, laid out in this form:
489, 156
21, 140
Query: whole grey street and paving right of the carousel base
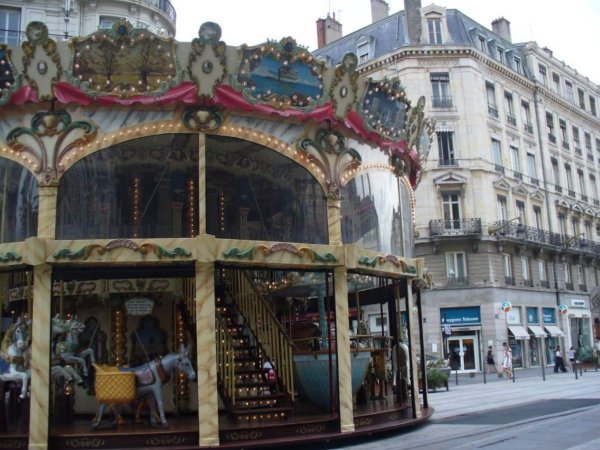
557, 414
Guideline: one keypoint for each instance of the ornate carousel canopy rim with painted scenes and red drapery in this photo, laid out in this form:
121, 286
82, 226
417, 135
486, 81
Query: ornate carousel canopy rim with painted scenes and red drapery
276, 79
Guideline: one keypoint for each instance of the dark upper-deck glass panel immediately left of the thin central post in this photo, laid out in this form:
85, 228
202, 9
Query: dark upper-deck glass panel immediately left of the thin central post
142, 188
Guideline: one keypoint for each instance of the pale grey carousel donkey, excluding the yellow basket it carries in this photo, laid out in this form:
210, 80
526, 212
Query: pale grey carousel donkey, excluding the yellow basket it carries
150, 378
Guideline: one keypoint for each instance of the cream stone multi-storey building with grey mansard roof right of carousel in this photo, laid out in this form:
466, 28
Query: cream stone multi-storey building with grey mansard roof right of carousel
508, 210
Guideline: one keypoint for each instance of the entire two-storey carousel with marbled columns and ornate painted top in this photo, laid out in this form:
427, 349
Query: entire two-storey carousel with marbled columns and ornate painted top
191, 237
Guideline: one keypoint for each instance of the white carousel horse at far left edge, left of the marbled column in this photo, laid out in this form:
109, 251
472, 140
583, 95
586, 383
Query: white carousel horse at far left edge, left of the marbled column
14, 345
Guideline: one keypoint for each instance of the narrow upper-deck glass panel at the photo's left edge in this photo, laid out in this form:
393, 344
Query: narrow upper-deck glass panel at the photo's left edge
18, 202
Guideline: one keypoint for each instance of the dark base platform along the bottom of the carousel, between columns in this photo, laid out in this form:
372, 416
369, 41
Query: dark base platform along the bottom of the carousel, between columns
377, 416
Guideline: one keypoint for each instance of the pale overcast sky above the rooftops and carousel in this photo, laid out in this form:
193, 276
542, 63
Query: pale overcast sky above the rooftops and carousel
567, 27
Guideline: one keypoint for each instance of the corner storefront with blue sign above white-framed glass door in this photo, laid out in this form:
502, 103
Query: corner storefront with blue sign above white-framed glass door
461, 334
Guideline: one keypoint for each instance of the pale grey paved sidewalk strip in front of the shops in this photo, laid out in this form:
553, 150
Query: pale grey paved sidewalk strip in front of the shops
472, 395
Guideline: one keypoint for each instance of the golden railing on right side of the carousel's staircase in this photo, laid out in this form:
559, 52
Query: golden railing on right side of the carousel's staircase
268, 332
